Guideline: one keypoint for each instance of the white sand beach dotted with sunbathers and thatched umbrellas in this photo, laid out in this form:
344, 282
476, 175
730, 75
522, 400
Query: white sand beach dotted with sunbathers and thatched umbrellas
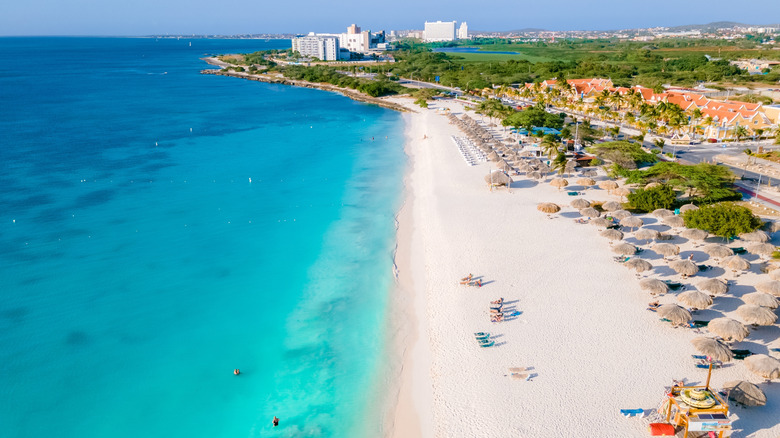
583, 331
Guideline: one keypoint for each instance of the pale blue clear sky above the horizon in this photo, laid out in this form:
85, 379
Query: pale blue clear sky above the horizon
229, 17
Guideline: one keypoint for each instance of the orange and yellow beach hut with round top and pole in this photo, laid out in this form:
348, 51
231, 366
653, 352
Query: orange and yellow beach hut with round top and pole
697, 409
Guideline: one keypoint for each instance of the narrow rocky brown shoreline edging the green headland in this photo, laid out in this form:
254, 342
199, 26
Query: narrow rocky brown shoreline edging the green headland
281, 80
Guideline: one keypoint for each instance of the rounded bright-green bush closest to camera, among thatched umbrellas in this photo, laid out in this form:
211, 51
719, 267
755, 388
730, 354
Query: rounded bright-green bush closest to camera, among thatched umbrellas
723, 219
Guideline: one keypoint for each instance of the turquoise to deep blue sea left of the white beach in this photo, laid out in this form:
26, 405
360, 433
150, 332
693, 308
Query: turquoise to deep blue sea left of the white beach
159, 228
